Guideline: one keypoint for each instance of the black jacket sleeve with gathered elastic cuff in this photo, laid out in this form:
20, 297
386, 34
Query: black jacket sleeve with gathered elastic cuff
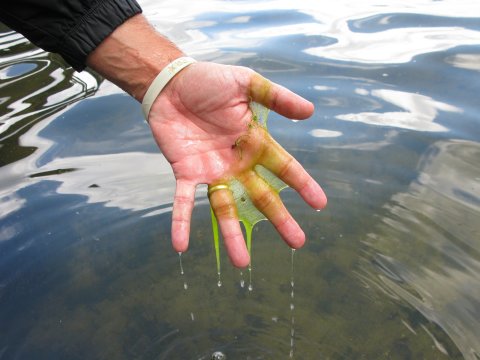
72, 28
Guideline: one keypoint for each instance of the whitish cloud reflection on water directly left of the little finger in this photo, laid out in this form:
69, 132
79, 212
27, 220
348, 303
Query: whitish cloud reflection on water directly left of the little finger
132, 181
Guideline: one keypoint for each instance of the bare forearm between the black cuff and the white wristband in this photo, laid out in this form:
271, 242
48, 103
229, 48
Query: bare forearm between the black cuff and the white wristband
133, 55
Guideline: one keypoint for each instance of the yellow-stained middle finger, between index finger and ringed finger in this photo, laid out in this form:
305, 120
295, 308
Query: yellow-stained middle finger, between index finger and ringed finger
269, 203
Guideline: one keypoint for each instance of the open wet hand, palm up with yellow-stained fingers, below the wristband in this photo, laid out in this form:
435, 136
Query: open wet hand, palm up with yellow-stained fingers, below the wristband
203, 125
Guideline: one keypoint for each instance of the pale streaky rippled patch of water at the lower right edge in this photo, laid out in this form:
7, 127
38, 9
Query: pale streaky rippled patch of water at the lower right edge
433, 218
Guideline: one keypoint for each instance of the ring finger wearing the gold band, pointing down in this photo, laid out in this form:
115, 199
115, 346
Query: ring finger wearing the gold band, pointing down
225, 210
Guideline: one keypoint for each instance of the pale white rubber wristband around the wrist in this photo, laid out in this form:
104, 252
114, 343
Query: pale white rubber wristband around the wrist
162, 80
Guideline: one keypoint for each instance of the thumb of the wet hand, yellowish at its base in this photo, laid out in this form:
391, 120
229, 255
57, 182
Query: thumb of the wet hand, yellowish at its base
278, 98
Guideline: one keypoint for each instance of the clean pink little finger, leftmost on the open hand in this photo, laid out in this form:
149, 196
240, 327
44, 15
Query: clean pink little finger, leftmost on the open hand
181, 215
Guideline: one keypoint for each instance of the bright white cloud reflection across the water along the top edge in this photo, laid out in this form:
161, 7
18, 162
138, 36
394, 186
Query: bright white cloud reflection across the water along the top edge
374, 45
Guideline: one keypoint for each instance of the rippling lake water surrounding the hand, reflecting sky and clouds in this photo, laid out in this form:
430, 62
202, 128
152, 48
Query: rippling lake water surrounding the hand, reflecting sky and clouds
391, 269
